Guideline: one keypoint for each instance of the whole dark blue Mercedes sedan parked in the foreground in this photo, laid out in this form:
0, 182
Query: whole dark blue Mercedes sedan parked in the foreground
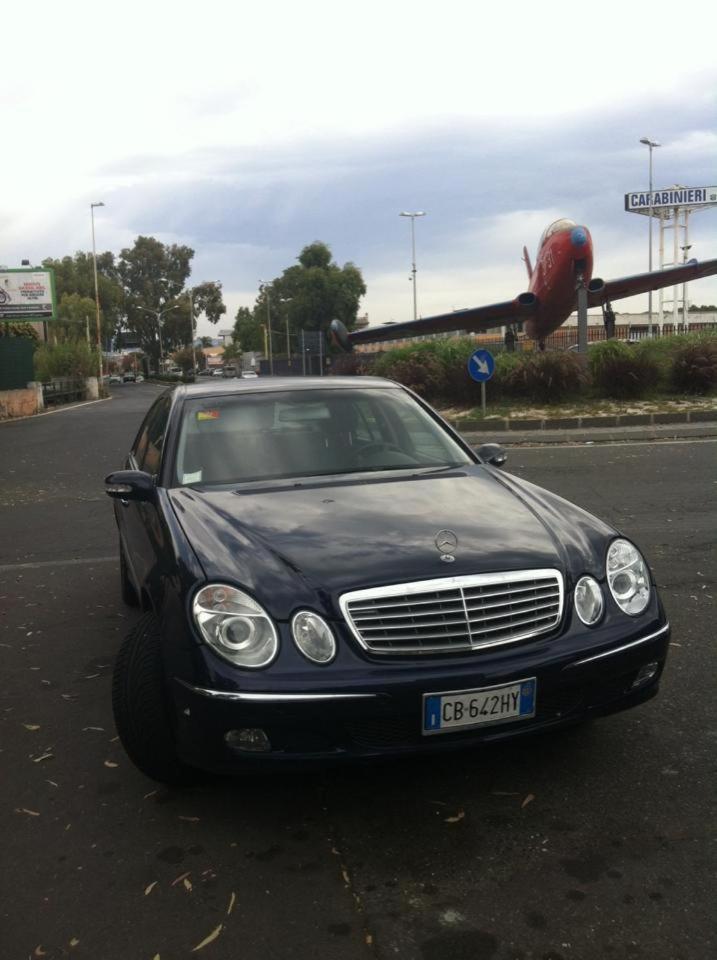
327, 570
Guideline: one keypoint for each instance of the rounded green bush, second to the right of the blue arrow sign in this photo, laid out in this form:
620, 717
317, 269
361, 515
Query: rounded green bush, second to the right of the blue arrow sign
622, 371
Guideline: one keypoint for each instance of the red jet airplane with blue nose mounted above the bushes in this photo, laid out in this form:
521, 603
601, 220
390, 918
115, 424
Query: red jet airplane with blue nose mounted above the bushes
564, 262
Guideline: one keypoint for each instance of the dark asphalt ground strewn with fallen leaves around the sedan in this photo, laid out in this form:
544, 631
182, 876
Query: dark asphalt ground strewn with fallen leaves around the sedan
595, 843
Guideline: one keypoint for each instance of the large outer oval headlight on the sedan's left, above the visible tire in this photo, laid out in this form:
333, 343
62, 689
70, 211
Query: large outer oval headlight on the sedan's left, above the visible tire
235, 626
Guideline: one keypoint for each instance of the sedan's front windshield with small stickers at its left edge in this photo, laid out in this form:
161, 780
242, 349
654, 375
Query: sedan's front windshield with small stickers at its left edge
305, 433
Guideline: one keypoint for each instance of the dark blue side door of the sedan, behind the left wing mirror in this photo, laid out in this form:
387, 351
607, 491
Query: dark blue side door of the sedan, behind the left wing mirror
139, 522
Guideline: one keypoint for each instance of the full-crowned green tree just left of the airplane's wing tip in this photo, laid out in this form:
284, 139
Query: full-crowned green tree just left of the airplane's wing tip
312, 293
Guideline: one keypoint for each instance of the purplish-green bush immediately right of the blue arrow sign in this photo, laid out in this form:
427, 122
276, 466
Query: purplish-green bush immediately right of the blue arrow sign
544, 377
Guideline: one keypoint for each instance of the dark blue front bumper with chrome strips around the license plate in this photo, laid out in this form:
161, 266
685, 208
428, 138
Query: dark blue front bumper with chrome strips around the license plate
385, 718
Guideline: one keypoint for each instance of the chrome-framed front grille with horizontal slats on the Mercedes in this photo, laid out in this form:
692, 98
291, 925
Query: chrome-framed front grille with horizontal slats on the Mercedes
455, 614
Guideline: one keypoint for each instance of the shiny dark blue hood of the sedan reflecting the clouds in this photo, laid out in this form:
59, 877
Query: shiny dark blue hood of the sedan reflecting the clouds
312, 540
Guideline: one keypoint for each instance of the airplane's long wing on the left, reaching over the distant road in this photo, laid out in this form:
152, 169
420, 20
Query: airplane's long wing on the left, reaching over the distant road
473, 320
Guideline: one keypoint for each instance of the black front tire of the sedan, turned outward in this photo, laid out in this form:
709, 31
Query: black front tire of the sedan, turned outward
141, 709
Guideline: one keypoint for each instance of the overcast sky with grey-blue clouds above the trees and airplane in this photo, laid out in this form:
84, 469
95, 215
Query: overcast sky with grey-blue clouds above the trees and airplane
249, 132
